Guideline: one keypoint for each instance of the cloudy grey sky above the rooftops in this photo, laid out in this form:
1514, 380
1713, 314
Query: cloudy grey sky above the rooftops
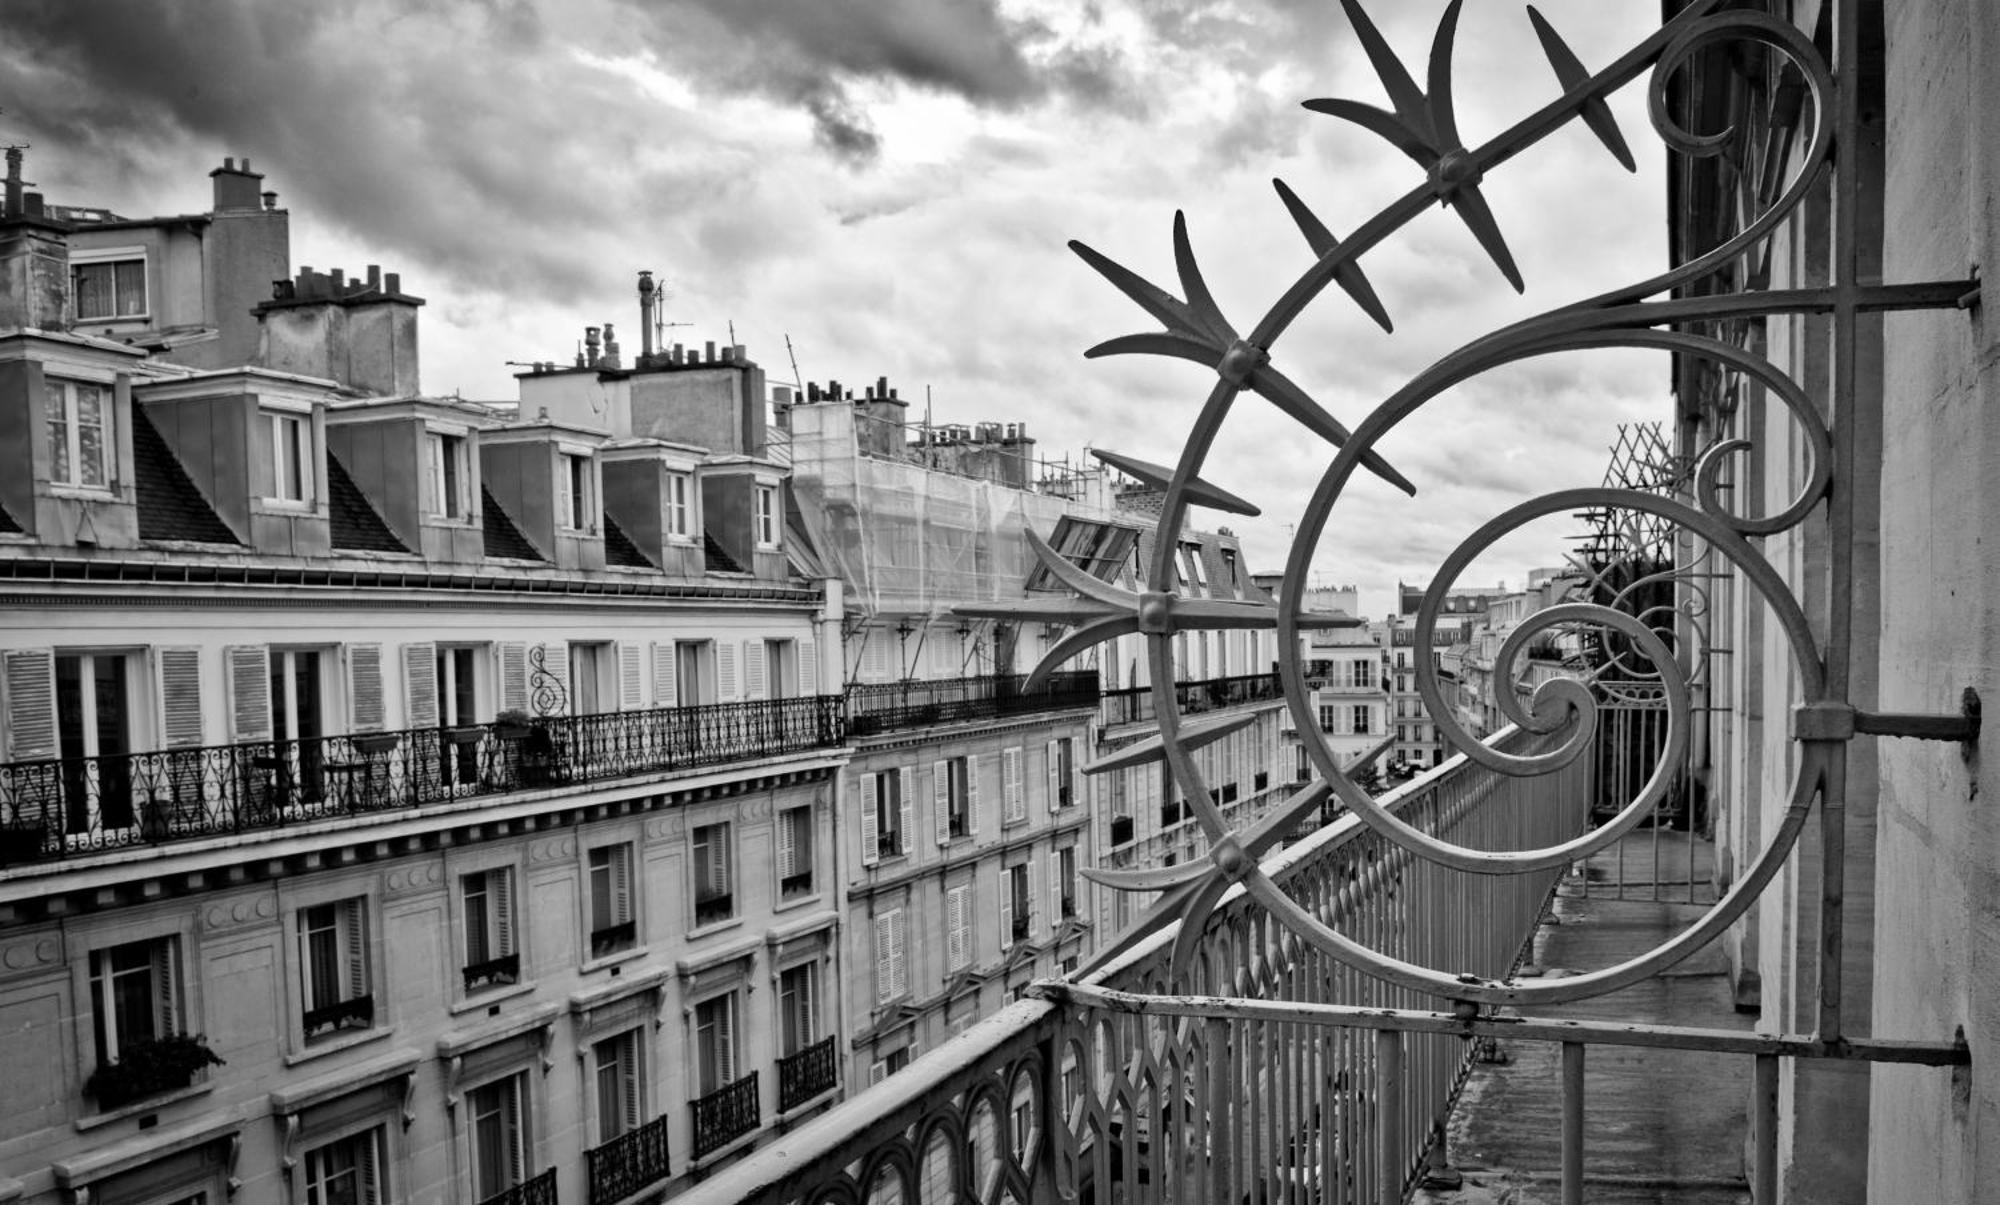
891, 185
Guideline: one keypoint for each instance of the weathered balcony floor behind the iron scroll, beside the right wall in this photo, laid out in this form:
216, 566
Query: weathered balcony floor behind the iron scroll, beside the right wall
1661, 1128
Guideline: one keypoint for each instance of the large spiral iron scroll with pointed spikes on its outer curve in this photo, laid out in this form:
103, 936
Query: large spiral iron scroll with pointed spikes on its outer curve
1671, 311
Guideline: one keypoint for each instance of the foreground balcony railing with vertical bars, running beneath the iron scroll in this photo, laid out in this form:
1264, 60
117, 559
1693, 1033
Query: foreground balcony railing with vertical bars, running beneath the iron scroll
1227, 1108
